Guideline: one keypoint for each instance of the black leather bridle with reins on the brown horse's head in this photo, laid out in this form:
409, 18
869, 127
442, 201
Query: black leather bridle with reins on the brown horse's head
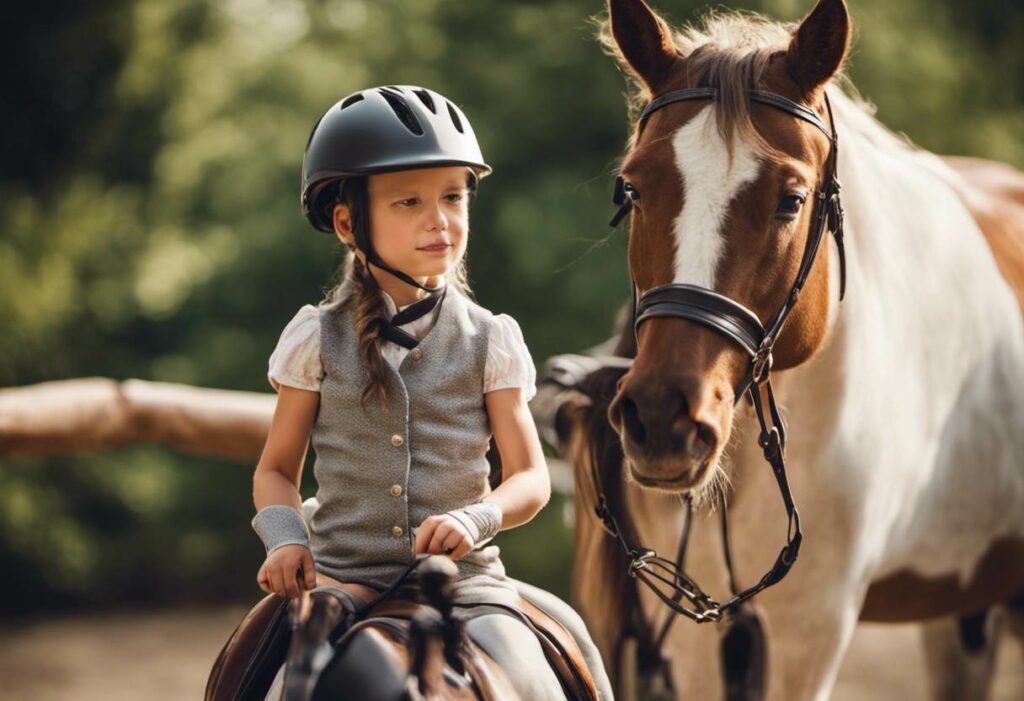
742, 326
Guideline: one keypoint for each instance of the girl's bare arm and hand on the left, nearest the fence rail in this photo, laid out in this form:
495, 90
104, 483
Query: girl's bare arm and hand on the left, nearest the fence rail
277, 483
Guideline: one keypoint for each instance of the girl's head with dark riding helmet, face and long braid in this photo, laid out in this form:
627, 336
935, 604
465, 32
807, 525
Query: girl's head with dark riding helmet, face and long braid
391, 172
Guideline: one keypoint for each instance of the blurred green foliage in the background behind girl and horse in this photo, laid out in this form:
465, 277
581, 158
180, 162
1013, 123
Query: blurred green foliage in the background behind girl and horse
151, 229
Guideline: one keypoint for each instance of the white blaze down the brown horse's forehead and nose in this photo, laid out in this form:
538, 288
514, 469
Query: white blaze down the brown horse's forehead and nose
710, 184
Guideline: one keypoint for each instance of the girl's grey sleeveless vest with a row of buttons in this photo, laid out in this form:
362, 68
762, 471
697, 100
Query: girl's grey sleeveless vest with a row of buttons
380, 473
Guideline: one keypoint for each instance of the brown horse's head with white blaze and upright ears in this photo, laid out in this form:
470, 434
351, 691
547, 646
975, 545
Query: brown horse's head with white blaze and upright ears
722, 200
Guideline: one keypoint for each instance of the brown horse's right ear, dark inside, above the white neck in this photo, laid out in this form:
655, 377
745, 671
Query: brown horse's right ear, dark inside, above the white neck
820, 46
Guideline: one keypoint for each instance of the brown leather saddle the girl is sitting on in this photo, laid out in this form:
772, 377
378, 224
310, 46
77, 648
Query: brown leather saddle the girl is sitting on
390, 652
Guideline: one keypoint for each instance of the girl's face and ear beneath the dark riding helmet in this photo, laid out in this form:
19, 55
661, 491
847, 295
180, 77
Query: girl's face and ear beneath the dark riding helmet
419, 220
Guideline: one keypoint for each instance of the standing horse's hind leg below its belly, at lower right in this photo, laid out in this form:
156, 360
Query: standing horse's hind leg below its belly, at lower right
960, 654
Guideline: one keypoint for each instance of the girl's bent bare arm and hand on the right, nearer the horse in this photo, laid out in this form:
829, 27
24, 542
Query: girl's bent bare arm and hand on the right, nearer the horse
526, 486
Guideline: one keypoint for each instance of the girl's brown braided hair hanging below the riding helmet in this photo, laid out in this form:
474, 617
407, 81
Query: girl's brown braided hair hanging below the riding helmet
359, 292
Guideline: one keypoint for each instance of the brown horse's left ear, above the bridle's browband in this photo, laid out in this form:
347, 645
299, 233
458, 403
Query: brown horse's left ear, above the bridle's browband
645, 40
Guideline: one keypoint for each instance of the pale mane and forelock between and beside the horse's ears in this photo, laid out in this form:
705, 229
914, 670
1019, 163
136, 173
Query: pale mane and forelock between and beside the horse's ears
730, 51
